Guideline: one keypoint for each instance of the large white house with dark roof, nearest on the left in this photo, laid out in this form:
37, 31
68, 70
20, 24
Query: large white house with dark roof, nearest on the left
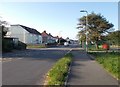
25, 34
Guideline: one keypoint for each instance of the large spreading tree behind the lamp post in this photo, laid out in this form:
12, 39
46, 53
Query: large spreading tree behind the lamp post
96, 28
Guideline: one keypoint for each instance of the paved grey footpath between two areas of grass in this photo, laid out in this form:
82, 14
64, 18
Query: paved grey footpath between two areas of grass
85, 71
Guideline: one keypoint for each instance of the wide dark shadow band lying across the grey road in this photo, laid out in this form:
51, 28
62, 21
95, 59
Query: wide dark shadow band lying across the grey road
36, 54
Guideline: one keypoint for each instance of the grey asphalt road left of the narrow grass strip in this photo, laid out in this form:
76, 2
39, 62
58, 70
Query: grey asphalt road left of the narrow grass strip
30, 66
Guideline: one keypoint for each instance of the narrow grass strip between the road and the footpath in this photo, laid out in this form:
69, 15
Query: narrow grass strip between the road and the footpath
57, 75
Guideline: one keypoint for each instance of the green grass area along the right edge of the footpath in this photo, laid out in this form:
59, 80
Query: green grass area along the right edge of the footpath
109, 60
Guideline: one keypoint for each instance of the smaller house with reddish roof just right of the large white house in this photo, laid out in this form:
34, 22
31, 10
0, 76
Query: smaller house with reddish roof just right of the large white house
47, 38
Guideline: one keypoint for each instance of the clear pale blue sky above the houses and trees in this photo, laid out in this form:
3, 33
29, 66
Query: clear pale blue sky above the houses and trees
57, 18
